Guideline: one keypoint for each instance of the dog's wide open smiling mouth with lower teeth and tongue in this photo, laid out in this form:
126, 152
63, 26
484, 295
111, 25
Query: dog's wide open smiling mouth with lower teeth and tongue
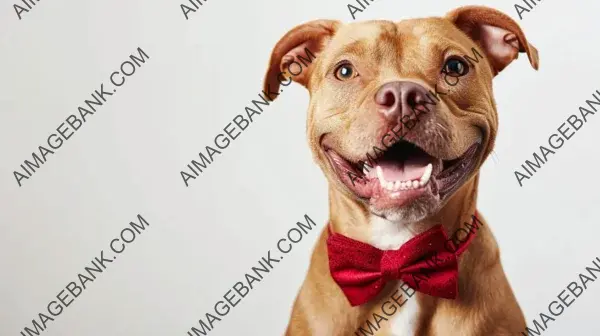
403, 173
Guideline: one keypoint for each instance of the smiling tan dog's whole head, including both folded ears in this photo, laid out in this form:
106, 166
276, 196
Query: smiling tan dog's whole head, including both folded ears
401, 114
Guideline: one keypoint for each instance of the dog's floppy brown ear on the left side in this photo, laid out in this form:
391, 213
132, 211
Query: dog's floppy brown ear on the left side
304, 42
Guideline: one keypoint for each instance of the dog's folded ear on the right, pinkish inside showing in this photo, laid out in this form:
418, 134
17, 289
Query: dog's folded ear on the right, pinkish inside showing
499, 35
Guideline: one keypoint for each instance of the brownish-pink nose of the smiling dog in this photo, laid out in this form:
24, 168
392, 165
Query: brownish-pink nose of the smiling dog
395, 99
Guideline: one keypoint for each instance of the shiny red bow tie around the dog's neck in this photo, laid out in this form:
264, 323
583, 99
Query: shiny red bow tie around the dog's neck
426, 263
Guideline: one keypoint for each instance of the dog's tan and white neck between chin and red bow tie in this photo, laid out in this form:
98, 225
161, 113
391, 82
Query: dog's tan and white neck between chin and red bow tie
353, 219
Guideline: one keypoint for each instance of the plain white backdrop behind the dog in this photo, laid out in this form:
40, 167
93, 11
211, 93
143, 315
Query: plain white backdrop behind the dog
201, 73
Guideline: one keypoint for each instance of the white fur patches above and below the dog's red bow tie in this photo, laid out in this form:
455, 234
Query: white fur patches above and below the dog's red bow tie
387, 235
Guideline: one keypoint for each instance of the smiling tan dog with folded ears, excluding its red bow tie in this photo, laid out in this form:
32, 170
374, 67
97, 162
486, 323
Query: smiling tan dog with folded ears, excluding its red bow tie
363, 82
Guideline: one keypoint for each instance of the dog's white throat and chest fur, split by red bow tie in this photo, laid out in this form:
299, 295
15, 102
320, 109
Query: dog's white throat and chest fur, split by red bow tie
388, 235
